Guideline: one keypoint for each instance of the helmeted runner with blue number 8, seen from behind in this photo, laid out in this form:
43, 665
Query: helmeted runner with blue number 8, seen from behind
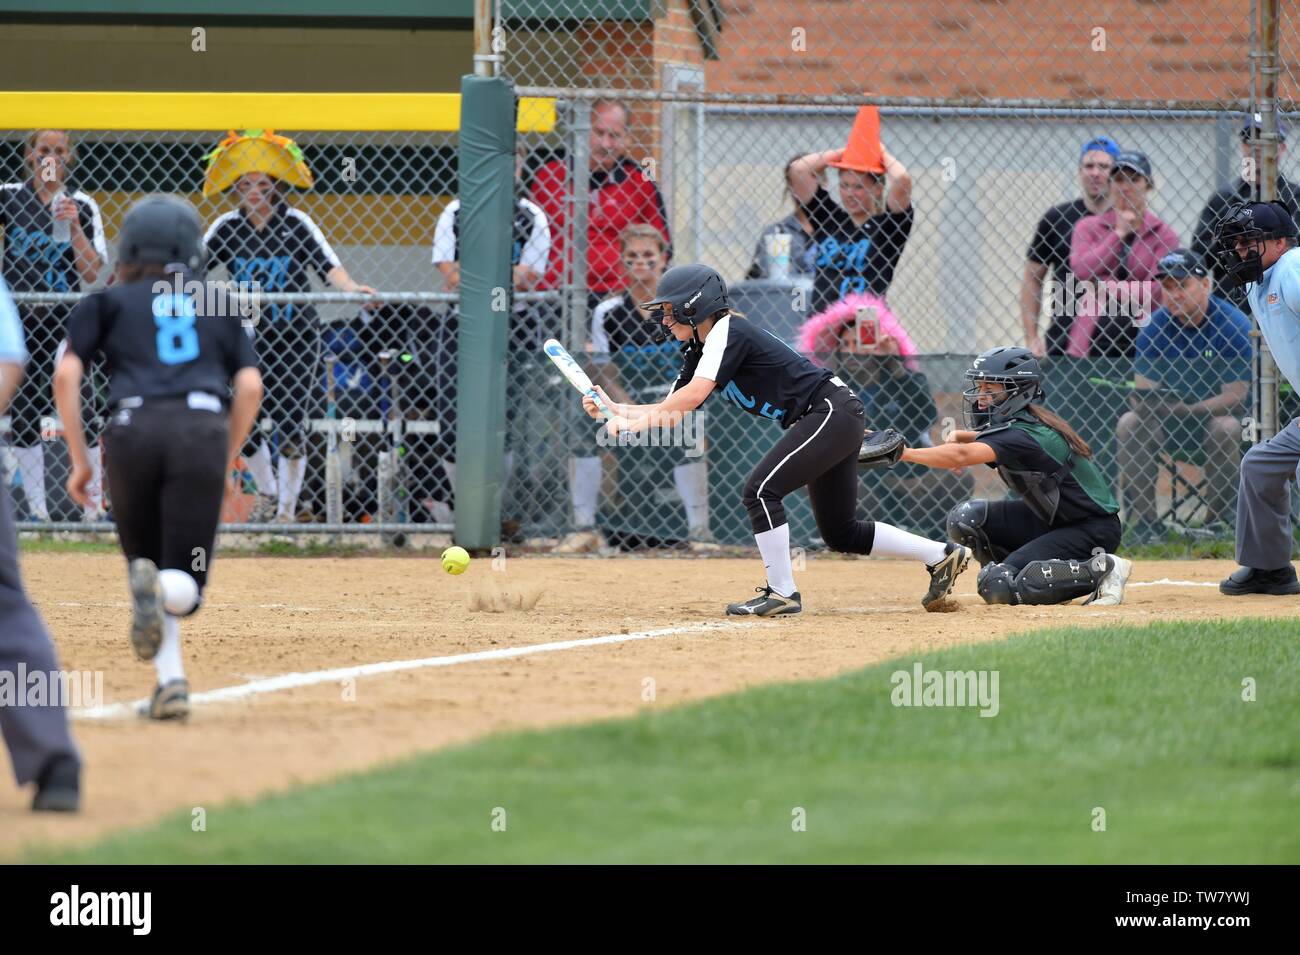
171, 444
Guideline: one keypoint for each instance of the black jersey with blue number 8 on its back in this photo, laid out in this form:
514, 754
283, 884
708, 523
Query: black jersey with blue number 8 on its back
162, 344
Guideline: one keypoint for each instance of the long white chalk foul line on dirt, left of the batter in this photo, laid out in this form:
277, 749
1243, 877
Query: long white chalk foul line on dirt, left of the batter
291, 681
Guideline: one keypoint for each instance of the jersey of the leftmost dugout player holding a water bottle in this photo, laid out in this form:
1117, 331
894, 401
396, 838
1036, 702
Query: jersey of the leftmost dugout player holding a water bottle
33, 261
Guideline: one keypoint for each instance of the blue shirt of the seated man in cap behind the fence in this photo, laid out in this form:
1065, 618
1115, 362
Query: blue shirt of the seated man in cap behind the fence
1198, 361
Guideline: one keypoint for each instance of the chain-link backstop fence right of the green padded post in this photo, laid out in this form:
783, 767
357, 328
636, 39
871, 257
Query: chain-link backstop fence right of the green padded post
1013, 212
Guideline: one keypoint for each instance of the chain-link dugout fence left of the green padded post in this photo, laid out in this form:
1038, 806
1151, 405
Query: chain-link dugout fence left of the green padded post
371, 219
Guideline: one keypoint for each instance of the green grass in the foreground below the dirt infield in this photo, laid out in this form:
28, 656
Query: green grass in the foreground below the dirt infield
1146, 723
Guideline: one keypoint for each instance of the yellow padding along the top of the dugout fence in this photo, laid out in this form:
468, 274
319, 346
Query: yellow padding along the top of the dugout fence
328, 112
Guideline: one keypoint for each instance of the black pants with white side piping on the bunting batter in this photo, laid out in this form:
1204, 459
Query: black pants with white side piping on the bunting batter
820, 452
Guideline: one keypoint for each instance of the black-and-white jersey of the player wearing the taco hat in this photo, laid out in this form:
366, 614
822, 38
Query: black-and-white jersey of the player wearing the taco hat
279, 257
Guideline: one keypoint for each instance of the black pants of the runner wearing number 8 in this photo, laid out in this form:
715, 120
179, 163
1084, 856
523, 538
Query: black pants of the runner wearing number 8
167, 468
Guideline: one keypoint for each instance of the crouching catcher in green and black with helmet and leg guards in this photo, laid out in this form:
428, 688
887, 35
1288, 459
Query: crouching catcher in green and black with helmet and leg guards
1056, 542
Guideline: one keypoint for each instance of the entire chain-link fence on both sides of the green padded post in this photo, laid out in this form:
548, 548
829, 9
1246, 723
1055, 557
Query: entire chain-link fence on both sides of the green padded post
1012, 212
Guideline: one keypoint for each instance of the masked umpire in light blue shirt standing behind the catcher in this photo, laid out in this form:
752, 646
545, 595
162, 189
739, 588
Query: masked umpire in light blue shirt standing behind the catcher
1255, 248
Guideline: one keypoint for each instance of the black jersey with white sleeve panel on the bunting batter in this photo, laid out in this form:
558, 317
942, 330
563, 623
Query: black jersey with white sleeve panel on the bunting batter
755, 371
